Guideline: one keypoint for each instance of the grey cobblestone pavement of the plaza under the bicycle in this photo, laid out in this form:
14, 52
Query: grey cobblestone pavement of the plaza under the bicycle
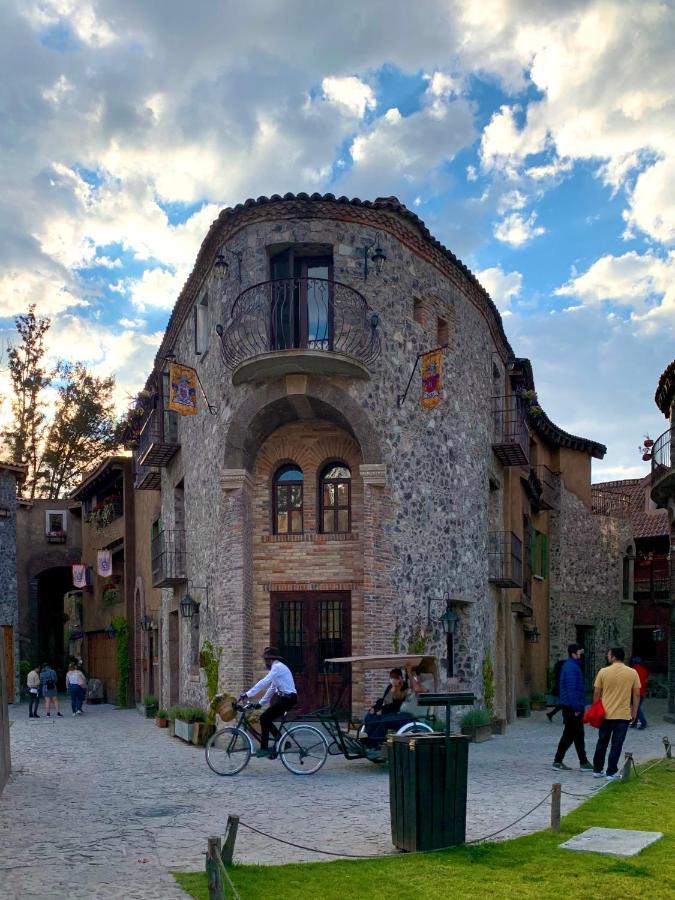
104, 805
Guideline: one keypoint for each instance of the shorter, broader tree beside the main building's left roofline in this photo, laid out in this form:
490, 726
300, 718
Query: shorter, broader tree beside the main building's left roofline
83, 431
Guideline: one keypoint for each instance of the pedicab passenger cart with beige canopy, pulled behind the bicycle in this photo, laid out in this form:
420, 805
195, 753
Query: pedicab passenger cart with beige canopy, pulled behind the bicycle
349, 741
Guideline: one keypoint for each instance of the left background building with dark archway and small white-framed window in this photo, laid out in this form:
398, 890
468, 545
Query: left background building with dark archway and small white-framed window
49, 539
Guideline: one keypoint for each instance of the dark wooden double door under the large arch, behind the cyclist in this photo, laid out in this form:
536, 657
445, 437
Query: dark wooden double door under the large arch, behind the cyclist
308, 628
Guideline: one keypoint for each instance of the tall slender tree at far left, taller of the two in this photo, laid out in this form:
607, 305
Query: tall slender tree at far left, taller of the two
24, 438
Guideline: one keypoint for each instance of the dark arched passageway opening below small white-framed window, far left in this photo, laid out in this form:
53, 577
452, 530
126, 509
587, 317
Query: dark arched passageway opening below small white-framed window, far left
52, 644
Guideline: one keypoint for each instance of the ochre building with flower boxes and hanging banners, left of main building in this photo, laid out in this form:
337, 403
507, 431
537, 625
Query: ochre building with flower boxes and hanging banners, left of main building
116, 519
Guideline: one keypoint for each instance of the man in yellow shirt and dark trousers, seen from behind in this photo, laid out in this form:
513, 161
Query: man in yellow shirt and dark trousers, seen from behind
618, 686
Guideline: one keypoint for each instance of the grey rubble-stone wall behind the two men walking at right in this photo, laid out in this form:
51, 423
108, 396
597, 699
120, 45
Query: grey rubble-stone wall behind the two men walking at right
586, 565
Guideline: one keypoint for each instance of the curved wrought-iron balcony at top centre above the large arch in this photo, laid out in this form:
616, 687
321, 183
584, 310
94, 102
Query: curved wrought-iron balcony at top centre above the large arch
309, 326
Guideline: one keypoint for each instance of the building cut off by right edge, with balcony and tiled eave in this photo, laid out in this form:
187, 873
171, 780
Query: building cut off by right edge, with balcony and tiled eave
663, 495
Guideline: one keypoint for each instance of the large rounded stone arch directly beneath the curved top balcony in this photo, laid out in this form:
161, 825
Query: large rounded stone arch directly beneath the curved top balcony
272, 406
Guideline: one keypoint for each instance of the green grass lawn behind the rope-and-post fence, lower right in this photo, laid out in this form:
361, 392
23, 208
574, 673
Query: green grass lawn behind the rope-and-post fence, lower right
531, 866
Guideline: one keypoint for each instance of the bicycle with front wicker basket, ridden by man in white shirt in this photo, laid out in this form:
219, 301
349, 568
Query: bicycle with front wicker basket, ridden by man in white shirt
302, 748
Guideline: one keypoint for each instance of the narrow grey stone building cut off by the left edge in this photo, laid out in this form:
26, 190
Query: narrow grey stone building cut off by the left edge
11, 474
